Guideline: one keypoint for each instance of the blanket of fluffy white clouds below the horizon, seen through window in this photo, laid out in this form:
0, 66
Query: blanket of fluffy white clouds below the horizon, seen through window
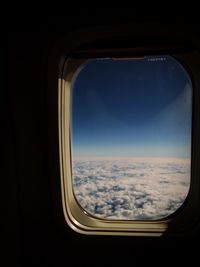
131, 189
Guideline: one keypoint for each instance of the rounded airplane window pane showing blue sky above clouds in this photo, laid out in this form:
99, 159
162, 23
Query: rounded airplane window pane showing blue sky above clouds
131, 137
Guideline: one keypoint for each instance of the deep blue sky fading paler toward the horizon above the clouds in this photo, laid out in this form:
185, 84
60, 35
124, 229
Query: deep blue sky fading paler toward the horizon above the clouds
131, 108
